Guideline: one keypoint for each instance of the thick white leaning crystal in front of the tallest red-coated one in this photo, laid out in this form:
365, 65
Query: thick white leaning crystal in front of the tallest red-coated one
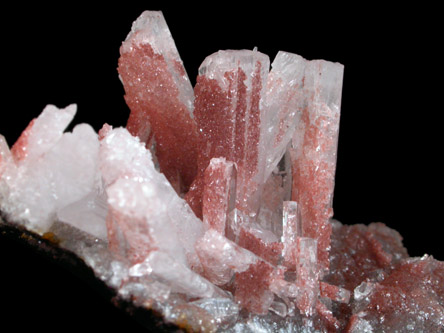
144, 200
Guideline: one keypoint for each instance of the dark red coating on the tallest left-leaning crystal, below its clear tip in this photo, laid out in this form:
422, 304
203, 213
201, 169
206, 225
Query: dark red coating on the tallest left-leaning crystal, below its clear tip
153, 98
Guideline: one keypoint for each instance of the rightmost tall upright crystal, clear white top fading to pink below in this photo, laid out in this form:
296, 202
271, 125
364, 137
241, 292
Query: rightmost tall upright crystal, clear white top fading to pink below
314, 152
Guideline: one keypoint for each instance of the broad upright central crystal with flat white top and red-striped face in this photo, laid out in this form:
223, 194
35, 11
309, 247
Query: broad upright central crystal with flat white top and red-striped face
228, 117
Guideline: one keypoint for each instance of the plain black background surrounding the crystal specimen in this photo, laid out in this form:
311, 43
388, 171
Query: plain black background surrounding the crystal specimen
389, 167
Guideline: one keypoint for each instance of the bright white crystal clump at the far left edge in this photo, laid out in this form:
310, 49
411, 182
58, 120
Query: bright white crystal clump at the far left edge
57, 170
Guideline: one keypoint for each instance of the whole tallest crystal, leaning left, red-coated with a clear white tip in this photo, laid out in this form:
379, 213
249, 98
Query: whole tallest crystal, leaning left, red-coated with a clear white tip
160, 96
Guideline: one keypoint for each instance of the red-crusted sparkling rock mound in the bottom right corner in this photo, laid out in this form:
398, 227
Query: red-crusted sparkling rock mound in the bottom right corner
414, 291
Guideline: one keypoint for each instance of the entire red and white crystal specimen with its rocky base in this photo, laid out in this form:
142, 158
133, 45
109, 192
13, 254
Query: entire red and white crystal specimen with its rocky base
214, 205
